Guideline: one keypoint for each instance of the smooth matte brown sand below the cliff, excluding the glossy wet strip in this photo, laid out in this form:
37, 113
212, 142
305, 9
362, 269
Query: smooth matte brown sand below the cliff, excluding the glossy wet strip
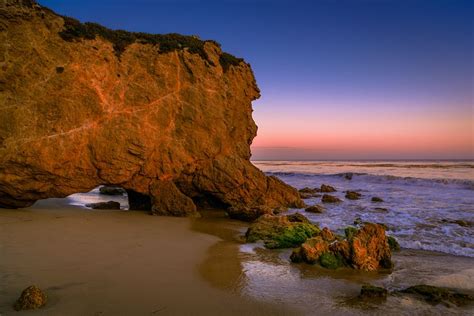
112, 263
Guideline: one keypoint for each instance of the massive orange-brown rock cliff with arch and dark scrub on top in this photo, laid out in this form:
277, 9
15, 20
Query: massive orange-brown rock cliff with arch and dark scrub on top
167, 117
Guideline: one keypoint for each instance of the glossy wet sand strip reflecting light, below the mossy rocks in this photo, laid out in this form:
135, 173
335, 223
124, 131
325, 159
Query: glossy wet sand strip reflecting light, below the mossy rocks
268, 276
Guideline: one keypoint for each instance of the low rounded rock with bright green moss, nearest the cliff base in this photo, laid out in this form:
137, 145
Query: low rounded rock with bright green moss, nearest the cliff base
280, 232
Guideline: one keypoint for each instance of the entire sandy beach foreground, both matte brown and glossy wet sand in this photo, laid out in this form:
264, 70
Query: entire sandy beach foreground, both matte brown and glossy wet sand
130, 263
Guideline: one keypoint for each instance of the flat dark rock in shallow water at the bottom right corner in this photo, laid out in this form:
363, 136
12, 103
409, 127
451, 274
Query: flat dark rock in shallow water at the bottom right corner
436, 295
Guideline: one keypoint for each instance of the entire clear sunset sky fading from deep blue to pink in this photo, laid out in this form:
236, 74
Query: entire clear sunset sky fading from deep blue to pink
340, 79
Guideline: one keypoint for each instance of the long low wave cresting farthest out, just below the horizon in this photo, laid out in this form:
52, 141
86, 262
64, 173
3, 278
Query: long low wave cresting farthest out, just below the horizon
465, 184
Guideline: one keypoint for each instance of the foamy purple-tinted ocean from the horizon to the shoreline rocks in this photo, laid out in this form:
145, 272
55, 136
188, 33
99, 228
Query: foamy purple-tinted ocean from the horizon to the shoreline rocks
424, 201
